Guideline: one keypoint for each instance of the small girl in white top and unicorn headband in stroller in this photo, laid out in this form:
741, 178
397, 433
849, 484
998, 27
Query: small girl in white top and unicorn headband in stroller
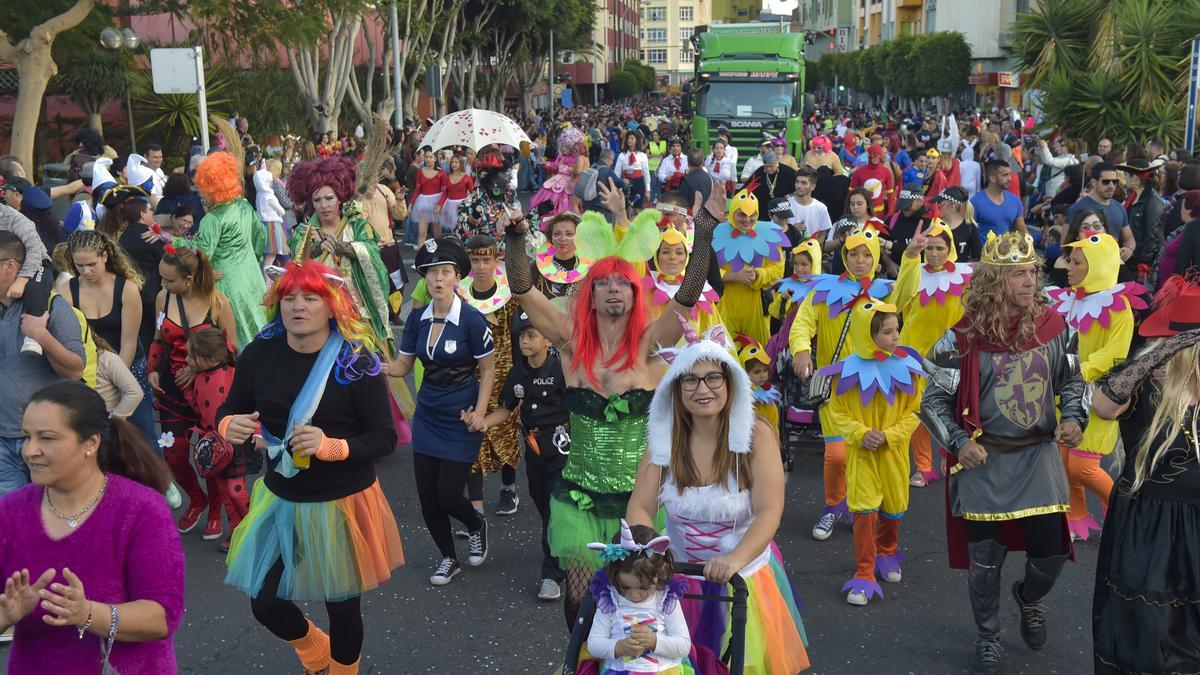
639, 625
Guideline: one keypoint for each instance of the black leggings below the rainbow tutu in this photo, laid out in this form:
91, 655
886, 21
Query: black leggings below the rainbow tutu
287, 622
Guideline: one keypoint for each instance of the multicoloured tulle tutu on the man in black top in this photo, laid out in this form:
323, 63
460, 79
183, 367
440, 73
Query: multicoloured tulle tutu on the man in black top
331, 551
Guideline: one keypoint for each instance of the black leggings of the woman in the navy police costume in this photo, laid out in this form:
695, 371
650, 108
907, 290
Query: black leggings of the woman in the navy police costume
440, 486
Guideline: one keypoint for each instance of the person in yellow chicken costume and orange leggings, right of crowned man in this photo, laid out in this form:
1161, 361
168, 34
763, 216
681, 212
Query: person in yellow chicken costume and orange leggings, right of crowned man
1102, 312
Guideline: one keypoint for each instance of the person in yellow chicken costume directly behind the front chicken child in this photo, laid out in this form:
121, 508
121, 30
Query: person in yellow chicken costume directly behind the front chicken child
823, 314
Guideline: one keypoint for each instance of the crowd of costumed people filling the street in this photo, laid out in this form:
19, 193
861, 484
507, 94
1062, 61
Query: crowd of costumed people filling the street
622, 312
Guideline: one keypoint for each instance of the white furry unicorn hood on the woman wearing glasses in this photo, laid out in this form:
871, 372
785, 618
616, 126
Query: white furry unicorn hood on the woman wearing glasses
716, 348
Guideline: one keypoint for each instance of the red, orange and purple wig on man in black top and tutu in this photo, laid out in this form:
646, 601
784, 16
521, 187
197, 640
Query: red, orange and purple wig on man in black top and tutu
359, 357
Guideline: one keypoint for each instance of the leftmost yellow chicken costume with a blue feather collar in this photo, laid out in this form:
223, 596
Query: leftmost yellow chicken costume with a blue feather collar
759, 249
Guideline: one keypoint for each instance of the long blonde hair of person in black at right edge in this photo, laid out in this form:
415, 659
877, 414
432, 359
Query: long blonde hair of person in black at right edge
1175, 414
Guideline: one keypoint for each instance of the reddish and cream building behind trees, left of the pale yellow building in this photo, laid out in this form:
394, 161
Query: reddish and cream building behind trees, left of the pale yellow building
615, 38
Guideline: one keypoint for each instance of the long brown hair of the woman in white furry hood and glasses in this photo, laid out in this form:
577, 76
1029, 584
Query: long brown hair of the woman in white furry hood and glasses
725, 462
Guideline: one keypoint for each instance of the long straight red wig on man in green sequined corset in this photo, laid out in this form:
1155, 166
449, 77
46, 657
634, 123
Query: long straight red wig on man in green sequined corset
587, 334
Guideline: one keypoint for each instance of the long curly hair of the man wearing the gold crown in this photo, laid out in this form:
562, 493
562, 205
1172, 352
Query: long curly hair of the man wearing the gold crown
987, 303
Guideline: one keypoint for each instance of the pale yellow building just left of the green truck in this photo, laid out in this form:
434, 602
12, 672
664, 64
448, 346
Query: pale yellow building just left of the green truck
668, 27
